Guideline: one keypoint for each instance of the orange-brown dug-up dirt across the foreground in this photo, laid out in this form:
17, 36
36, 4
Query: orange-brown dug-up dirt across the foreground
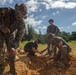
42, 66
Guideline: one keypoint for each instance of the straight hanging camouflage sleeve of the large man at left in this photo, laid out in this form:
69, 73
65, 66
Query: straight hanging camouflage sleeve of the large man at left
19, 35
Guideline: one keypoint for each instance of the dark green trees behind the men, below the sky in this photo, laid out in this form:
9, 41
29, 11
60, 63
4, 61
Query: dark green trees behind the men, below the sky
31, 34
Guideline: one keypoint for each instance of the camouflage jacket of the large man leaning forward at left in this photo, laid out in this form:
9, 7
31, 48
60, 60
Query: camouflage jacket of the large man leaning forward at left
8, 19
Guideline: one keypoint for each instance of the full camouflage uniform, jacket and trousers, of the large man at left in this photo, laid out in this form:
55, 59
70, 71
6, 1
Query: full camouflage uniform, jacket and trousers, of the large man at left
8, 19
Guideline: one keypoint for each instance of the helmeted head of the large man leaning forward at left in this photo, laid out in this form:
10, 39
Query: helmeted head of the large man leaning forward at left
21, 9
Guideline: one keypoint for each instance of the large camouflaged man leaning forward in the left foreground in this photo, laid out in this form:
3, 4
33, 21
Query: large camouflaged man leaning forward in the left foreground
11, 20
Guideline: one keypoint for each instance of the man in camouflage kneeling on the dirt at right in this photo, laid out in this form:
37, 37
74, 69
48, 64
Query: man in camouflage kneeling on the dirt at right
63, 48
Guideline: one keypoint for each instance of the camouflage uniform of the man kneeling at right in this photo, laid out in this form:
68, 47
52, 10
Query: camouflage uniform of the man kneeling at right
65, 49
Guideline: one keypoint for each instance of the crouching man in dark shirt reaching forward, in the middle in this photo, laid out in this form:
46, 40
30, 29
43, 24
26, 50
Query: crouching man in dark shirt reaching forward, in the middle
32, 47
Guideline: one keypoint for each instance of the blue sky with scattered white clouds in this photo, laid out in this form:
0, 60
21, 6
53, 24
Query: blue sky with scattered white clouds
63, 12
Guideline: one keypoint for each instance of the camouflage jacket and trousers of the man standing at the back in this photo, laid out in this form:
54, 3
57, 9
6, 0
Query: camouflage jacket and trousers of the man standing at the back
54, 30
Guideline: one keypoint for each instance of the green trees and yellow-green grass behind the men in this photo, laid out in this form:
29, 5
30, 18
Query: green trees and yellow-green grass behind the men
31, 34
